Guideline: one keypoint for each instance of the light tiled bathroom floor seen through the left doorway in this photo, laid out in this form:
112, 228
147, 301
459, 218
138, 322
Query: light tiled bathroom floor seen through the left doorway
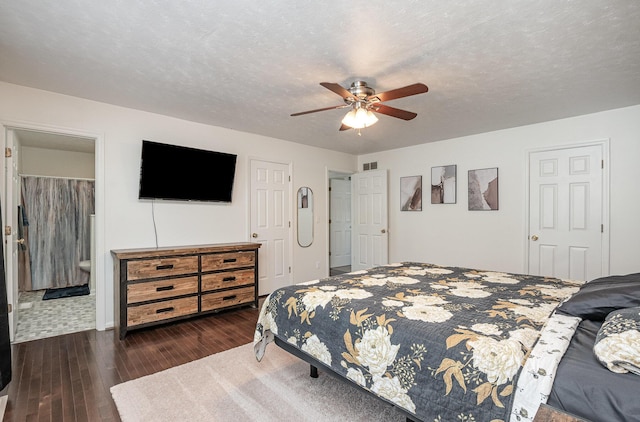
39, 318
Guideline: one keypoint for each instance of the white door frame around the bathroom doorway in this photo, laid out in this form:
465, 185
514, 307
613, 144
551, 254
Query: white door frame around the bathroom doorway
98, 139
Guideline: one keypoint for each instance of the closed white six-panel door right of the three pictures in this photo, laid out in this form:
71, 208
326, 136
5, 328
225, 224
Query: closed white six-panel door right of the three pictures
566, 213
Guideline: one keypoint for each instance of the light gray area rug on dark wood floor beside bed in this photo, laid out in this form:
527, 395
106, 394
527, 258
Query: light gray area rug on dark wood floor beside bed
233, 386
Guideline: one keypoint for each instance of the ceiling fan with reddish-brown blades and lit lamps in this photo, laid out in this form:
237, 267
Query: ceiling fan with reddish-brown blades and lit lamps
364, 102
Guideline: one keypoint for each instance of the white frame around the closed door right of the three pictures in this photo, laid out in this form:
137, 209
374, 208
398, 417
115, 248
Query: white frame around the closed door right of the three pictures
604, 145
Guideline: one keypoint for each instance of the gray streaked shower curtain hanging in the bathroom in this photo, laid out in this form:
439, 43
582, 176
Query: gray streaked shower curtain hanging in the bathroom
57, 211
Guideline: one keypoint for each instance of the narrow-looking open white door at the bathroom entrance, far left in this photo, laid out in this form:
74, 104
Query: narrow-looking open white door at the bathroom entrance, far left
10, 210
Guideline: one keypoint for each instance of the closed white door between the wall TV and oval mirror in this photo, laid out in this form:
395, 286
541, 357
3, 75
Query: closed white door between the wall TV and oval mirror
271, 223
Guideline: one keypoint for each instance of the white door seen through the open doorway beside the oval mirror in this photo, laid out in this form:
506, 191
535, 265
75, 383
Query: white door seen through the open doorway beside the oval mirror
340, 223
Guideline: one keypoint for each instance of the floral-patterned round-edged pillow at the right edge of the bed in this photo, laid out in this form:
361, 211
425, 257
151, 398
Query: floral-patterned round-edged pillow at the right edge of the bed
617, 344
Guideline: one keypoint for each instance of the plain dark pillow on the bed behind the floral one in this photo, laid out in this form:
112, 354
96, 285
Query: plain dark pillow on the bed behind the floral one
598, 298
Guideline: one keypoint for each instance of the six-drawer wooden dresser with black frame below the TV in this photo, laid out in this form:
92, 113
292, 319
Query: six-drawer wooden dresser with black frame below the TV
158, 285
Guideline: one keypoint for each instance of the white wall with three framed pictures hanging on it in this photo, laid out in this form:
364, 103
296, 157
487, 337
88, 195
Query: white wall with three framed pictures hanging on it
452, 235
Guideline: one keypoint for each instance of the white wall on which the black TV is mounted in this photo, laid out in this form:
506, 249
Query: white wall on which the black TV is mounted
128, 221
